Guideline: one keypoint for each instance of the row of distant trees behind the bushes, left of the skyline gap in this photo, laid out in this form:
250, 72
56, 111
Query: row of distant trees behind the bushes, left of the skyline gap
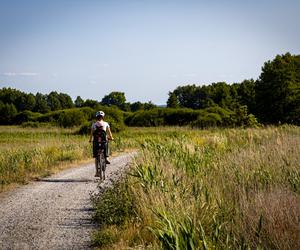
13, 101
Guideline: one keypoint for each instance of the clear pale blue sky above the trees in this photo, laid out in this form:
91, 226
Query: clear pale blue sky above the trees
144, 48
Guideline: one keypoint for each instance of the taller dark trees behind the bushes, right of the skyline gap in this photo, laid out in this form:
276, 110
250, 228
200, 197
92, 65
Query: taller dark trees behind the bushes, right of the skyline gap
273, 98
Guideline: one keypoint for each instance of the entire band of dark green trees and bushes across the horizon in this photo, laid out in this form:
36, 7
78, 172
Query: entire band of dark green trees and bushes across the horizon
271, 99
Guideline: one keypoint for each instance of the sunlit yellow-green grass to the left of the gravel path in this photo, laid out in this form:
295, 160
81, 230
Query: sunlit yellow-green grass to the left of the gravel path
27, 153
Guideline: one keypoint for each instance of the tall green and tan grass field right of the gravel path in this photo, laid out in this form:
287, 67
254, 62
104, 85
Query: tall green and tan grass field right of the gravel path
206, 189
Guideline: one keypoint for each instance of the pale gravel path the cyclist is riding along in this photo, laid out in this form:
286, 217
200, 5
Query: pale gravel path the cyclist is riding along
55, 212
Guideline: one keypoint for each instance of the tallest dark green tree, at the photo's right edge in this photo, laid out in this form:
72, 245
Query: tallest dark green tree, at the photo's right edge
278, 90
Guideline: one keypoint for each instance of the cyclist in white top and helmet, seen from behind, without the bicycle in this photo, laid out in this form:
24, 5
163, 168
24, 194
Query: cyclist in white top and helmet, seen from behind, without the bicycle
102, 125
